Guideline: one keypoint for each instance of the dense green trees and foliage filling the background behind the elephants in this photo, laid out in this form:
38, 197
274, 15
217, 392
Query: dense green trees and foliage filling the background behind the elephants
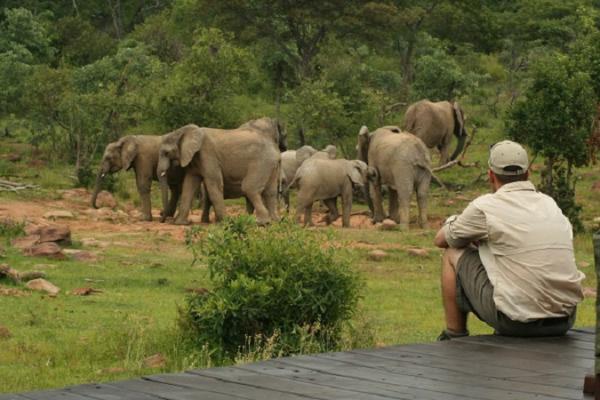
76, 75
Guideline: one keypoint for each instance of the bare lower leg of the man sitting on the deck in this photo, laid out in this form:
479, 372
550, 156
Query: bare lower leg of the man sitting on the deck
456, 320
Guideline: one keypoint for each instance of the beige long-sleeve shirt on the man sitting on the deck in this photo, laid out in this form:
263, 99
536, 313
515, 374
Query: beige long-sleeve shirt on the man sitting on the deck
526, 247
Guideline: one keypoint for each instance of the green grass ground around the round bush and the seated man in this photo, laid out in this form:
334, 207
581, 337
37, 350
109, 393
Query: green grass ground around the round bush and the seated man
143, 276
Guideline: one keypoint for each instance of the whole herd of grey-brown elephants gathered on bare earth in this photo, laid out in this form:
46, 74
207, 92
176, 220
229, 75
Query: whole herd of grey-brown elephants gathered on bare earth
252, 161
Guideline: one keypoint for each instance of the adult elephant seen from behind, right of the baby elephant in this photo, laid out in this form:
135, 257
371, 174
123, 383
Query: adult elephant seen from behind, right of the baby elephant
403, 164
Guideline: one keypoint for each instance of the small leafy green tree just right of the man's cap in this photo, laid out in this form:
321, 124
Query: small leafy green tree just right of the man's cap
554, 118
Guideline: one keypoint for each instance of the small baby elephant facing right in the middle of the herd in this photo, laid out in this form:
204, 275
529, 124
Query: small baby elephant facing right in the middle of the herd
324, 179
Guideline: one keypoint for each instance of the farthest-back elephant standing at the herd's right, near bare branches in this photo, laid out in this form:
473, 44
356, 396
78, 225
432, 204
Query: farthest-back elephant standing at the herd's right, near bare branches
435, 123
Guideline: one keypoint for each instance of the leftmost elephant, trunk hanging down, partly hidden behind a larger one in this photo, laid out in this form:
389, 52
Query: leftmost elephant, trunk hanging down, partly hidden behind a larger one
140, 153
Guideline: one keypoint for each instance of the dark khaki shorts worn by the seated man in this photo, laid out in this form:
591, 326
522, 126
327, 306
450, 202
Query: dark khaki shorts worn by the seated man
475, 293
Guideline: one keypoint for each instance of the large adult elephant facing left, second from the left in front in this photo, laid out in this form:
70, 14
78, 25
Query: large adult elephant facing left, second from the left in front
243, 160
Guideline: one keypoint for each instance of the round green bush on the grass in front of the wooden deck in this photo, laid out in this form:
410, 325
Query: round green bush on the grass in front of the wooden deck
279, 288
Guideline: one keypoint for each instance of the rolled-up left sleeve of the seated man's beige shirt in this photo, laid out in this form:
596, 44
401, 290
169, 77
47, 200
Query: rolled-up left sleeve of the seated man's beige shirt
468, 227
